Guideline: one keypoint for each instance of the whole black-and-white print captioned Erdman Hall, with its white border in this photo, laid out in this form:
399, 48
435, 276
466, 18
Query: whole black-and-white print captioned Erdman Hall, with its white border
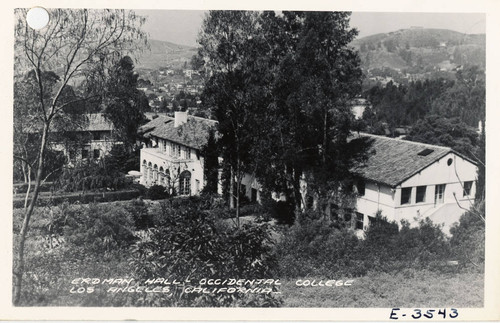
168, 158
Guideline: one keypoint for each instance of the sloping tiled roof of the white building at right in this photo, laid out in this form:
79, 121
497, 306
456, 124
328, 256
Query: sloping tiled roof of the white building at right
391, 161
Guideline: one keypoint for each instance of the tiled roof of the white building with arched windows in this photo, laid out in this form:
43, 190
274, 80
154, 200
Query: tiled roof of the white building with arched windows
194, 133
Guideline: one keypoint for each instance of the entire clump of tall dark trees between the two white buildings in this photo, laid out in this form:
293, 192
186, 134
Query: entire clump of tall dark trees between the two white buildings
294, 71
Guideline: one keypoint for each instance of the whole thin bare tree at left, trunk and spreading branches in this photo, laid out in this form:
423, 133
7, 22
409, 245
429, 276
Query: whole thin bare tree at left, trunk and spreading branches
74, 45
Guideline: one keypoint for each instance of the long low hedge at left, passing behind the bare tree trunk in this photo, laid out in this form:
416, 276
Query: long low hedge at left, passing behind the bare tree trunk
83, 198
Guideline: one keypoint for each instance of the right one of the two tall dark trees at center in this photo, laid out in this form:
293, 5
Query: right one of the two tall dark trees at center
314, 74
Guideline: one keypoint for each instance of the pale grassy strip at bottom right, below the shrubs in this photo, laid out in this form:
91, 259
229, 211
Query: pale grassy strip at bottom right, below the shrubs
406, 289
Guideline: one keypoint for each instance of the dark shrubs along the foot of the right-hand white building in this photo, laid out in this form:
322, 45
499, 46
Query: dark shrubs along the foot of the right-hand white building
317, 246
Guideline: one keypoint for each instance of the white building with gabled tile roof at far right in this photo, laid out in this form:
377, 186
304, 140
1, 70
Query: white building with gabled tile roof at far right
411, 181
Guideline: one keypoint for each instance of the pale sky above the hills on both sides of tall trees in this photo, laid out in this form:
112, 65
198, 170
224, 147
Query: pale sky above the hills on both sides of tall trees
182, 26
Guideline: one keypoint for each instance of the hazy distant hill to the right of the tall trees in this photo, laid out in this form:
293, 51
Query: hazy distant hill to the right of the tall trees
421, 51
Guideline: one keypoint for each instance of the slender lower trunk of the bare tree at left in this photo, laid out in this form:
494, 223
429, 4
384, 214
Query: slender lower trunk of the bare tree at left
19, 269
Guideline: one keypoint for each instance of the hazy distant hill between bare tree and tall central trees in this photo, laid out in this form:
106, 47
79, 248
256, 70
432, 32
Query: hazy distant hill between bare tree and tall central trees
164, 54
